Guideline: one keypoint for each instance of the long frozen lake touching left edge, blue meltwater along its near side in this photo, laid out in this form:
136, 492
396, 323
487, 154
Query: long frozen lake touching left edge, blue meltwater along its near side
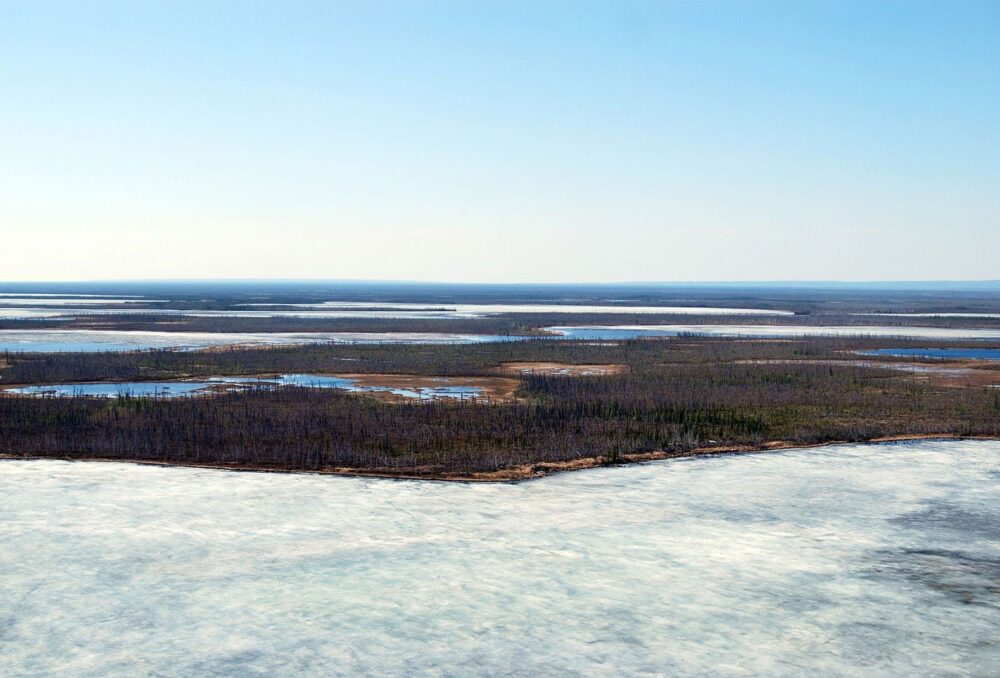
89, 341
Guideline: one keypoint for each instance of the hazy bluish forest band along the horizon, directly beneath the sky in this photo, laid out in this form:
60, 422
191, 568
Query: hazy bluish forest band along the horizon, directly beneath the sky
802, 298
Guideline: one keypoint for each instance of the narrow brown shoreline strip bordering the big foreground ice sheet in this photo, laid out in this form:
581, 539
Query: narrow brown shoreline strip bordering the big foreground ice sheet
514, 474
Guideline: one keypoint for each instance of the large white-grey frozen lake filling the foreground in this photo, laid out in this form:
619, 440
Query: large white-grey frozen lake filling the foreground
849, 560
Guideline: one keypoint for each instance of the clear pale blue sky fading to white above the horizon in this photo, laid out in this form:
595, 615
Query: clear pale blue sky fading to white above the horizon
500, 141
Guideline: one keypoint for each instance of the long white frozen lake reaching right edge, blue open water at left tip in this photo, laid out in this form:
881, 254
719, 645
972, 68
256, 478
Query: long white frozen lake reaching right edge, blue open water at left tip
612, 332
